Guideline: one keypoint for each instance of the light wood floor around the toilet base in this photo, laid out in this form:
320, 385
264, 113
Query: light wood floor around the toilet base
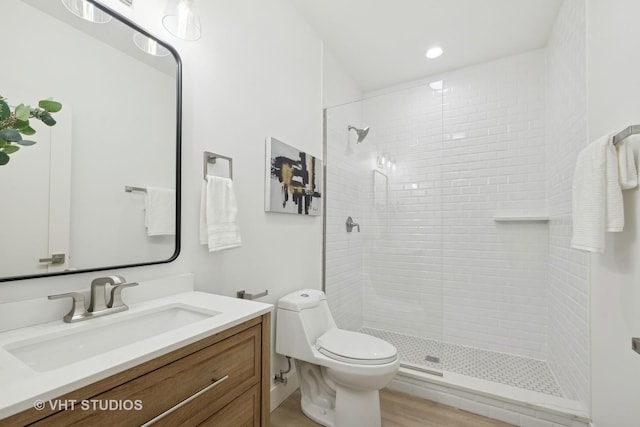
398, 410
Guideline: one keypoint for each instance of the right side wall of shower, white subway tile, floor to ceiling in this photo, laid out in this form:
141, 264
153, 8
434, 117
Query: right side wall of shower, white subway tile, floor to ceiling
566, 136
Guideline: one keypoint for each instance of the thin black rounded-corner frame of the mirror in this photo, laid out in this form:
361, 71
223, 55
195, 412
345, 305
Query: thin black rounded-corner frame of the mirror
178, 154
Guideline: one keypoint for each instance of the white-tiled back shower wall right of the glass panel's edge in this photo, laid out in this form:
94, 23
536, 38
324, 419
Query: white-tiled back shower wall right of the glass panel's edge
495, 274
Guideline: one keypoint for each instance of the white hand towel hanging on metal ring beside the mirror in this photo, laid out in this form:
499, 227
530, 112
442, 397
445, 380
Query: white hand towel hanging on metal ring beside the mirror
218, 215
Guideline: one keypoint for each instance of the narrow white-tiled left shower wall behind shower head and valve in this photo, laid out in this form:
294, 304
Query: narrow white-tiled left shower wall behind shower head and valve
345, 175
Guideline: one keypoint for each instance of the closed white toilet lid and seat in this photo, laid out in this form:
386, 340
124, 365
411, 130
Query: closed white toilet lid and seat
355, 347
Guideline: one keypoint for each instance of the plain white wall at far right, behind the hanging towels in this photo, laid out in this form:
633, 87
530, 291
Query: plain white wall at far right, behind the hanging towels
614, 103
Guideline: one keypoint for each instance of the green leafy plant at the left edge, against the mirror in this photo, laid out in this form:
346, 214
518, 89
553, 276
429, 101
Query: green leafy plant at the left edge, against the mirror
14, 124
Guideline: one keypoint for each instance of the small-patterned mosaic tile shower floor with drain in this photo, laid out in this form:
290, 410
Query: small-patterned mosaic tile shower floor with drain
522, 372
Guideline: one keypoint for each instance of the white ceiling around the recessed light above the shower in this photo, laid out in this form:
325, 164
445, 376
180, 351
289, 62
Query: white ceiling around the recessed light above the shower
382, 43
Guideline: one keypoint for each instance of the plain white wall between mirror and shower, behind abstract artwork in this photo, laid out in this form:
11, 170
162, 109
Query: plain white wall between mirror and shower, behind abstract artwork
255, 73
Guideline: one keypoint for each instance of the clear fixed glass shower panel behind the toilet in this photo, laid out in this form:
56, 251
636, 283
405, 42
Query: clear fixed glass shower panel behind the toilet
387, 279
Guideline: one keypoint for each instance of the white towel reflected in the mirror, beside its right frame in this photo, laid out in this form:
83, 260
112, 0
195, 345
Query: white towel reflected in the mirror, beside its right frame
160, 211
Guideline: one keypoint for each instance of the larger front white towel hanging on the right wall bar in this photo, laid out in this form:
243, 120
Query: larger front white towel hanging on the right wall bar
597, 198
